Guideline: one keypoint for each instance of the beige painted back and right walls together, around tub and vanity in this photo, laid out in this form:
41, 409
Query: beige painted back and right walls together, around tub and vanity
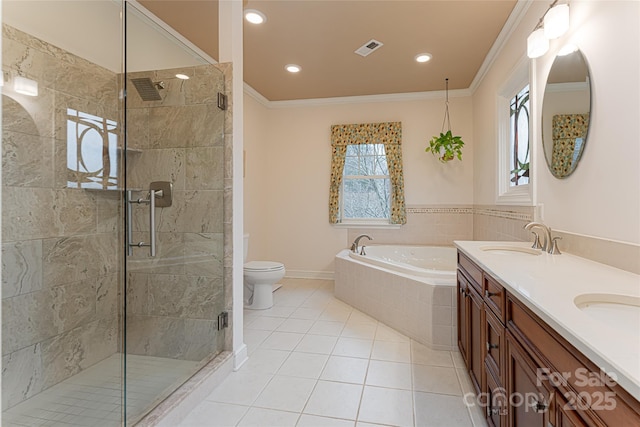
601, 200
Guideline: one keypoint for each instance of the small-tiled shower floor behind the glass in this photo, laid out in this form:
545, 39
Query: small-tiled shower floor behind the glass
93, 397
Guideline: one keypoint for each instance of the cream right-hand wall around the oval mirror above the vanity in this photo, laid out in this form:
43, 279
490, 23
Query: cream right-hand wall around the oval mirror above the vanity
601, 199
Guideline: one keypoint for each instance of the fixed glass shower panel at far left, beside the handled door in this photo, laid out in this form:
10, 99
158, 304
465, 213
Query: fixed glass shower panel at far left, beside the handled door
61, 210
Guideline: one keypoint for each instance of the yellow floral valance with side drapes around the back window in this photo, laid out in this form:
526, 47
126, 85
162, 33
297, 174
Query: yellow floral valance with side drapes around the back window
387, 133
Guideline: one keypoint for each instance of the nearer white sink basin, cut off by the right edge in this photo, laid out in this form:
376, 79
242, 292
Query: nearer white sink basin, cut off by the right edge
611, 308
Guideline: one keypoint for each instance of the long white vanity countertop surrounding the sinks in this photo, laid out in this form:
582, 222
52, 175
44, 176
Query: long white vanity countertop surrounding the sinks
548, 284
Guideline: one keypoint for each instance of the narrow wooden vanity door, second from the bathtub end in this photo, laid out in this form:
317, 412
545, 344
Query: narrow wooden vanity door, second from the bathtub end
476, 339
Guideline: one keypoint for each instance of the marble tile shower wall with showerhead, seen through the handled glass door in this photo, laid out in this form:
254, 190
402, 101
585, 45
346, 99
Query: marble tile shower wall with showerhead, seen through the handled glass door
174, 299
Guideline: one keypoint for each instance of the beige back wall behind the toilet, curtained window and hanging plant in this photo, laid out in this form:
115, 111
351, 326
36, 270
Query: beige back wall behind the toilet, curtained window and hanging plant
288, 155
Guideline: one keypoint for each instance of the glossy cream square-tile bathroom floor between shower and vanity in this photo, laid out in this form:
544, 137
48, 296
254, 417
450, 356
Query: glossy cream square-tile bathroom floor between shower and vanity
316, 361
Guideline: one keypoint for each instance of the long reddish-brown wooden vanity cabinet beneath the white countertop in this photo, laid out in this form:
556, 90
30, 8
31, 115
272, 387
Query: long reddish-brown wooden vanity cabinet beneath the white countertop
525, 372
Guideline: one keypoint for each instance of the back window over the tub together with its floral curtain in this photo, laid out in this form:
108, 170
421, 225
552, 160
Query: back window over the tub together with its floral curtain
367, 185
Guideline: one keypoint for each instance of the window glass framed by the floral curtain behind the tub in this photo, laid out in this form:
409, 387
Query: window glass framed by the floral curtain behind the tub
366, 188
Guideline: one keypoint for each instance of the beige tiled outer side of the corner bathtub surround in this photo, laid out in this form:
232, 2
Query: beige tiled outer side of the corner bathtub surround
410, 304
